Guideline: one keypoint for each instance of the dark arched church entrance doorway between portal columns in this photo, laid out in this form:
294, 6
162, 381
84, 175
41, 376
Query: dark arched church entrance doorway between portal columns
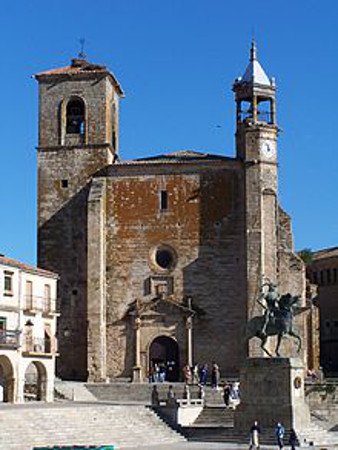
164, 352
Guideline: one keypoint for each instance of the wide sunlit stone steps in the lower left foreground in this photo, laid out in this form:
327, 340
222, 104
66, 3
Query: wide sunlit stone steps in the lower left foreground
24, 426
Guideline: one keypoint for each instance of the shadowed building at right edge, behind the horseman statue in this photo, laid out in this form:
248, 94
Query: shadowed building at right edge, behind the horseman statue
323, 271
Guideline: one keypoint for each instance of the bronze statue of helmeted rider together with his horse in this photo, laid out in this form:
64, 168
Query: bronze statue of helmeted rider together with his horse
277, 319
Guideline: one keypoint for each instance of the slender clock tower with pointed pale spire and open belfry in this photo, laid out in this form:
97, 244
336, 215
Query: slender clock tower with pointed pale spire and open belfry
256, 143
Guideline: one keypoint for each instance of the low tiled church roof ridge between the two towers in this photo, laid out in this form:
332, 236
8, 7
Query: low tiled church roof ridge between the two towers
180, 156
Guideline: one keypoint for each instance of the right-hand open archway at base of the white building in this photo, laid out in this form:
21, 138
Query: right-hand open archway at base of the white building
35, 382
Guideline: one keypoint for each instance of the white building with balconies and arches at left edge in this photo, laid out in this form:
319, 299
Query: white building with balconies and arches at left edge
28, 346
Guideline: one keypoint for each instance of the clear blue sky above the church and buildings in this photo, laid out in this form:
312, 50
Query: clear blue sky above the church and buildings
177, 60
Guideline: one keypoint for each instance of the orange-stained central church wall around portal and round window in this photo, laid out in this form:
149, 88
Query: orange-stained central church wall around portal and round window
204, 227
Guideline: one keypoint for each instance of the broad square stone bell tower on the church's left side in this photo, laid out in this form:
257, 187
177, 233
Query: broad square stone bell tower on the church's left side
78, 138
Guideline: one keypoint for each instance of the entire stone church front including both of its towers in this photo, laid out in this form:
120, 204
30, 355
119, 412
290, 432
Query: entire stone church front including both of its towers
161, 259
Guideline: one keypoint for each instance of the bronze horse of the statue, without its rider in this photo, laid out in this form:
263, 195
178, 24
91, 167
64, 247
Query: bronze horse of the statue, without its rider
280, 325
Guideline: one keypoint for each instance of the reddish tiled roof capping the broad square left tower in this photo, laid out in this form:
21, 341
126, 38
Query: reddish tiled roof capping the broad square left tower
78, 67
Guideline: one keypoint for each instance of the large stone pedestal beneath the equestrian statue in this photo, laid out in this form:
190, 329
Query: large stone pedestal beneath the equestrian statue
272, 390
